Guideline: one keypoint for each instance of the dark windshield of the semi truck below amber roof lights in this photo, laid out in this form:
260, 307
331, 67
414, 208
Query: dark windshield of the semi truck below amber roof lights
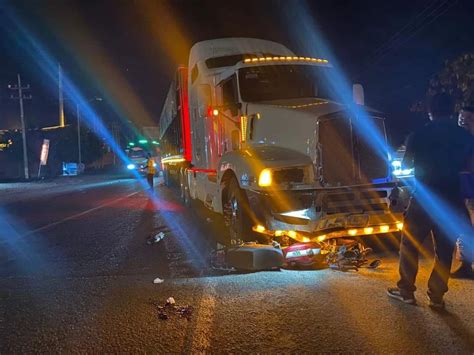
277, 82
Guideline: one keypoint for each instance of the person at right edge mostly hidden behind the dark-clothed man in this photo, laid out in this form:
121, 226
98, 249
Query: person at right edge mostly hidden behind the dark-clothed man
466, 120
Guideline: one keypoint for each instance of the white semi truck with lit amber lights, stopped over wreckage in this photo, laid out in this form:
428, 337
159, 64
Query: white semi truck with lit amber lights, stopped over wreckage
259, 135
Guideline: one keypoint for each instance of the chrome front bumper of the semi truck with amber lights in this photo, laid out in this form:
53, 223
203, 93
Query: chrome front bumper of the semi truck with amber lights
323, 213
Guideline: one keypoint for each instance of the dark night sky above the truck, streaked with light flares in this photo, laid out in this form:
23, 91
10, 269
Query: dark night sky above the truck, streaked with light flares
126, 51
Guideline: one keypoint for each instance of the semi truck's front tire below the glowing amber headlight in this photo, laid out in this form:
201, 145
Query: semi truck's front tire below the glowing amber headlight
237, 214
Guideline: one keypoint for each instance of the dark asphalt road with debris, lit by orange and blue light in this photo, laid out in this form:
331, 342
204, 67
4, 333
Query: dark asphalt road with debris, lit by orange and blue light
76, 275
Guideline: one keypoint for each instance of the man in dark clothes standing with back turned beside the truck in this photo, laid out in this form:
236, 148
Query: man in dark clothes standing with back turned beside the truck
438, 153
